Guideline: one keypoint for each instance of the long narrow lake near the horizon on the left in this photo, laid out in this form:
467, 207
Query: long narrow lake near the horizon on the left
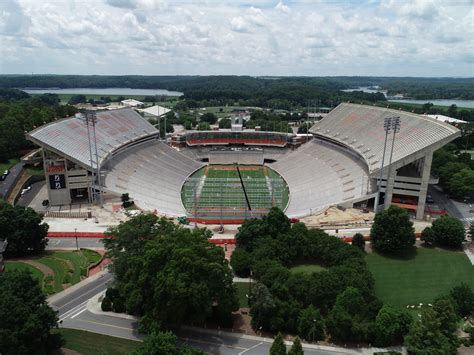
105, 91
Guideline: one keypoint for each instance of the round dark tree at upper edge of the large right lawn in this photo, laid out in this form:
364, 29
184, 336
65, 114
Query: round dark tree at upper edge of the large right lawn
392, 231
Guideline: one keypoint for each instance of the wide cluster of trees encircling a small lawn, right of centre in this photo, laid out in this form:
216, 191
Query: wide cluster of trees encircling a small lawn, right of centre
282, 300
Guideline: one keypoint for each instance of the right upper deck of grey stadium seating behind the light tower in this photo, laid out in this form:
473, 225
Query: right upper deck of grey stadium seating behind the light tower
360, 128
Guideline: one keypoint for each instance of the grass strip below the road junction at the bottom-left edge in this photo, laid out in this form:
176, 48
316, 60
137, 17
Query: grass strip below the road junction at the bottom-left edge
92, 343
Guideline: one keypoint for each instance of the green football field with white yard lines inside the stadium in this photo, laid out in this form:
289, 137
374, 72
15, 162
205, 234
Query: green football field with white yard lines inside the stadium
217, 192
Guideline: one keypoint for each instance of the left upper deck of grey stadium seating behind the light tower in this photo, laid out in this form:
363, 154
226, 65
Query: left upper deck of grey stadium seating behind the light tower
114, 129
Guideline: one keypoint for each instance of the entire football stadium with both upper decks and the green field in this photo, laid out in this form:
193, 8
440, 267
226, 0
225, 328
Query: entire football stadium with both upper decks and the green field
226, 176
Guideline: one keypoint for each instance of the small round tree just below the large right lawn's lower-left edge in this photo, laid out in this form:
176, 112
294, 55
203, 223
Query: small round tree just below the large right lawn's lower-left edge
391, 325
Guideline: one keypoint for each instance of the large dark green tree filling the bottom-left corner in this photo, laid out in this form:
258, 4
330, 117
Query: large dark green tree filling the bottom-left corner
25, 317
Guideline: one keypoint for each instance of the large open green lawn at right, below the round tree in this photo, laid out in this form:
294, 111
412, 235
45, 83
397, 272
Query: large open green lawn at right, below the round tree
420, 276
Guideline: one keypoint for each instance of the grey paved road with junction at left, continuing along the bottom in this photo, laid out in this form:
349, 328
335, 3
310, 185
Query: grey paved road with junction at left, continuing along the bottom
73, 313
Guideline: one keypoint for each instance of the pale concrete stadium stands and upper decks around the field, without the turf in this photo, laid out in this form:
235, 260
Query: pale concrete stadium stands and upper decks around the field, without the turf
340, 166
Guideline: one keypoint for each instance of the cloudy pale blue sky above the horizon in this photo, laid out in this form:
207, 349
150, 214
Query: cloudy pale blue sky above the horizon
237, 37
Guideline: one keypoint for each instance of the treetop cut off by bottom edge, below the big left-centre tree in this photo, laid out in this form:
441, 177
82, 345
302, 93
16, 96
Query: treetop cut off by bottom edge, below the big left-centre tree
165, 343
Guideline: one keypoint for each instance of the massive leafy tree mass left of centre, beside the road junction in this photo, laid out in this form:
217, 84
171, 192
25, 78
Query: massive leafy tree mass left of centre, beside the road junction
168, 274
